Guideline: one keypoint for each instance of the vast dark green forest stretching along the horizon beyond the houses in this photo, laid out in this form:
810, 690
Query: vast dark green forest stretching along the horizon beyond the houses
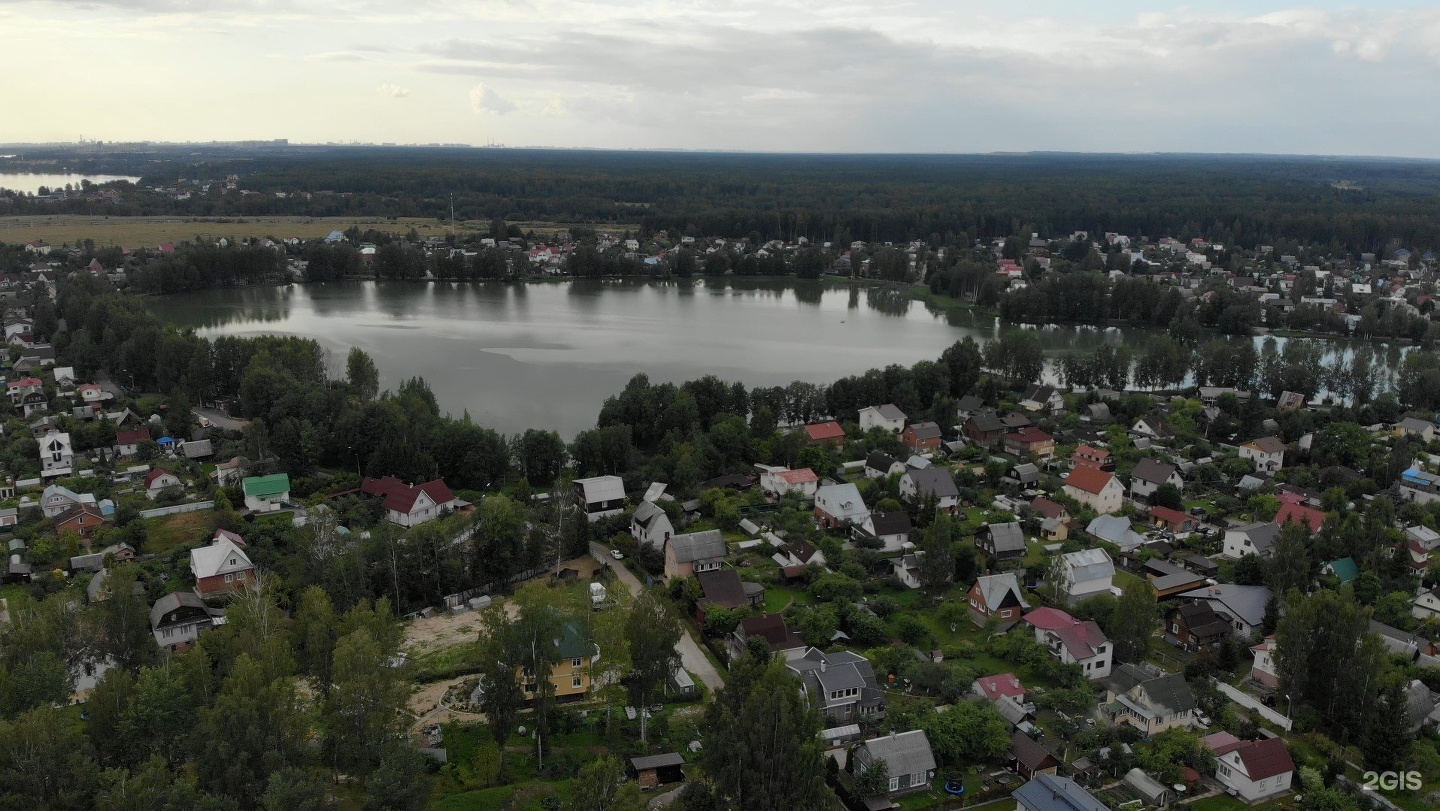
1229, 200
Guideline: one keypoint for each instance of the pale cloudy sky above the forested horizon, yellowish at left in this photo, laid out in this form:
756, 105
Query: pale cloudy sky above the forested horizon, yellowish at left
781, 76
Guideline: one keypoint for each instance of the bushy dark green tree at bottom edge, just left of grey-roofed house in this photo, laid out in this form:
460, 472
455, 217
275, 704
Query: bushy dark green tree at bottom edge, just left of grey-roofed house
762, 747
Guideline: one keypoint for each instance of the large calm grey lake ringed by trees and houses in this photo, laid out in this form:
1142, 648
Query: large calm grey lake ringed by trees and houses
548, 355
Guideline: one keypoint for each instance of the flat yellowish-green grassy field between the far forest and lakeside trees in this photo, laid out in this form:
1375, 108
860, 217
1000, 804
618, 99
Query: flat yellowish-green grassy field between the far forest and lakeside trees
148, 233
